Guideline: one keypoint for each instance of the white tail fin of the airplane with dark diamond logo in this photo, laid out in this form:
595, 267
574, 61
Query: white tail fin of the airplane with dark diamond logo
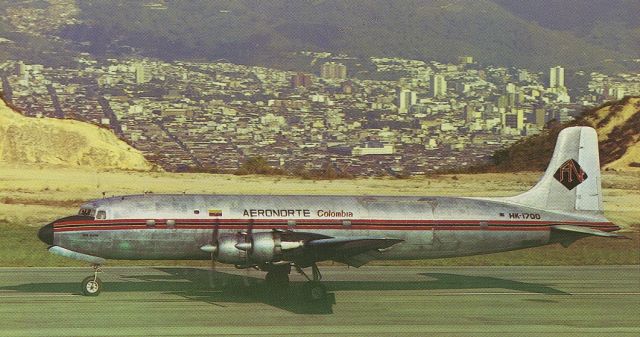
572, 179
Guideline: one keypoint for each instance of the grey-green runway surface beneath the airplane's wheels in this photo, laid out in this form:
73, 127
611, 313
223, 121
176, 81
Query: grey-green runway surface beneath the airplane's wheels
369, 301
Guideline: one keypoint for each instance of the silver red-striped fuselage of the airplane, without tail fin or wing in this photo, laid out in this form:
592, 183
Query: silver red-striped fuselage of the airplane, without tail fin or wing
176, 226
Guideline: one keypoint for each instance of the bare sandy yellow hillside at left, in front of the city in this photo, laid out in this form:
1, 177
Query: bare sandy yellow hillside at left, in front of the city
68, 143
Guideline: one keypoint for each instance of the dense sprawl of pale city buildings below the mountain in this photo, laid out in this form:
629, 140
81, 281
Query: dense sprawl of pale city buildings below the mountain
214, 116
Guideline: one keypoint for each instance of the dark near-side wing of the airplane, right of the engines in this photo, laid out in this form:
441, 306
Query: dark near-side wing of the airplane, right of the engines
354, 251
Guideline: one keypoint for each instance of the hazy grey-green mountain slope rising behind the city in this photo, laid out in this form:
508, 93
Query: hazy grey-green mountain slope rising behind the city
257, 31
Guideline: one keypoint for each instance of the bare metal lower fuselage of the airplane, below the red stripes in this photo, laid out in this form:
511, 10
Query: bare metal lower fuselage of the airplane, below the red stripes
186, 243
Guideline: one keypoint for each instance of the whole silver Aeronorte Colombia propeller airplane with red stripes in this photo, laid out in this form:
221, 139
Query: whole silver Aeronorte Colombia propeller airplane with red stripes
275, 233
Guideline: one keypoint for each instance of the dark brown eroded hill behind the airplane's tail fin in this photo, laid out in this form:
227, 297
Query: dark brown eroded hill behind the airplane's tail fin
618, 127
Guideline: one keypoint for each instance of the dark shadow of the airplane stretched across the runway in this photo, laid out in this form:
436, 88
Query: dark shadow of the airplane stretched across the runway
217, 287
